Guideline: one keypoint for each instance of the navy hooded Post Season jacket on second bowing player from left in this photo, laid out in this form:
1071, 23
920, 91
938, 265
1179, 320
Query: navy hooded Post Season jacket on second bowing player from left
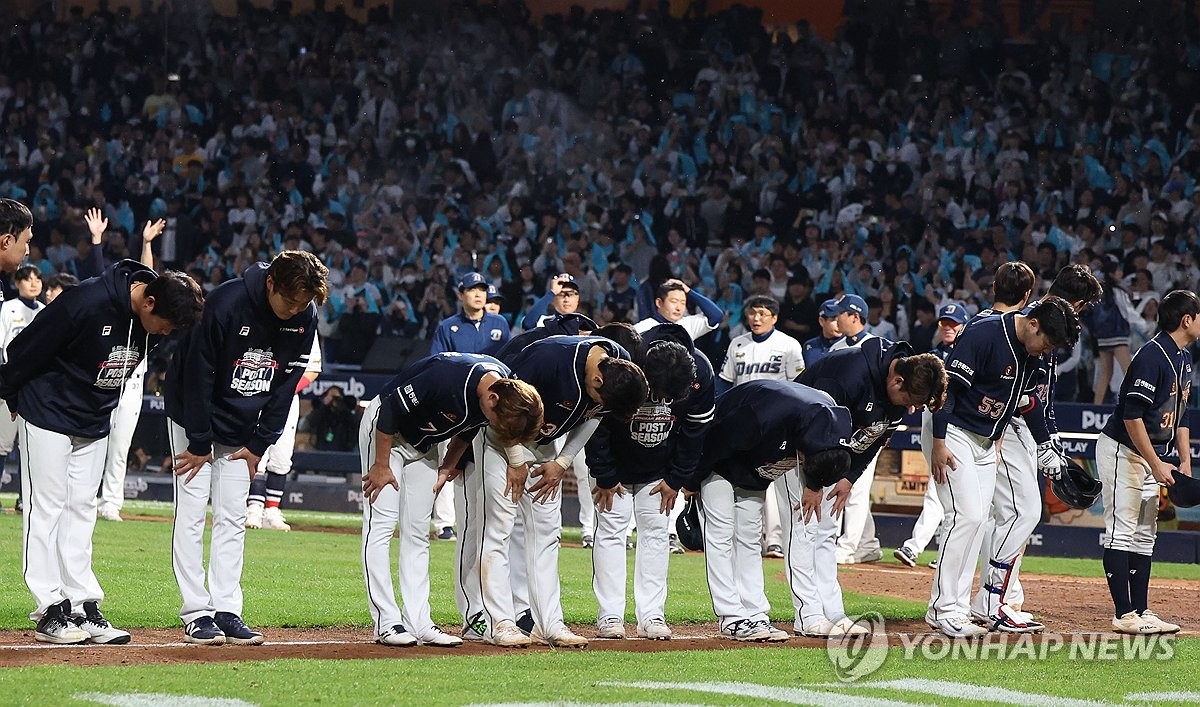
233, 376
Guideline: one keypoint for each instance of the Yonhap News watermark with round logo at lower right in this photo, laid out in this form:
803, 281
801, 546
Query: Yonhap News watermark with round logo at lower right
857, 657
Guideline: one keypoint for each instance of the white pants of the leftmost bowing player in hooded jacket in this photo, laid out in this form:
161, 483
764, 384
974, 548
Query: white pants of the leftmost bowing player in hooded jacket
59, 478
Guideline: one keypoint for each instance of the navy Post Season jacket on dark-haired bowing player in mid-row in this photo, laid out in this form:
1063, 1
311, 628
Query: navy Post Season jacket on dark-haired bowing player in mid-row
663, 441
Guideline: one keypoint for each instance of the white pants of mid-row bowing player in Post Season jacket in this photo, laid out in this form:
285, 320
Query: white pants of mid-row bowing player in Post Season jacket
651, 559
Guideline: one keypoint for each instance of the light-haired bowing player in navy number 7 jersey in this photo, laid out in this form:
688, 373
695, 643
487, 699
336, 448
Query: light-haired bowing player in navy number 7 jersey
441, 398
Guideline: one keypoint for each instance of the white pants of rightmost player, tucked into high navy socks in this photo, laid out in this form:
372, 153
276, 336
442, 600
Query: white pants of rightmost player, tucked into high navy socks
1131, 498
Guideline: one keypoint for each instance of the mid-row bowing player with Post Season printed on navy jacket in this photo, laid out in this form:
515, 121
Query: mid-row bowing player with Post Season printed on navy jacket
640, 466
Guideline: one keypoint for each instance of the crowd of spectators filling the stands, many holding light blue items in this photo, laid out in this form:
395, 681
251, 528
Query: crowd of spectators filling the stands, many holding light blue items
902, 161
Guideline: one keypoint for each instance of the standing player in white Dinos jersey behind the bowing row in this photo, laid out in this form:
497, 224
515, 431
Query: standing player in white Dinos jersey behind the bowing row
765, 353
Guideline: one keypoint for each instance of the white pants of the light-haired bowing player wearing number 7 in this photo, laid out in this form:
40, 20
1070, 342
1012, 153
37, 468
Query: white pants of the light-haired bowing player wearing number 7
411, 508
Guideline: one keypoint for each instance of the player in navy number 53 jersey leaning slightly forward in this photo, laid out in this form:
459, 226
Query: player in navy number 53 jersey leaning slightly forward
994, 364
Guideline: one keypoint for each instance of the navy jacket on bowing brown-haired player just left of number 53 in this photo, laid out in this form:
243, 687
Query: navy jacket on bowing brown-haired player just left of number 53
857, 379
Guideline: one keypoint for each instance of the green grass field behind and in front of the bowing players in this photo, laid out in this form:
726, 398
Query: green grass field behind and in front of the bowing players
314, 579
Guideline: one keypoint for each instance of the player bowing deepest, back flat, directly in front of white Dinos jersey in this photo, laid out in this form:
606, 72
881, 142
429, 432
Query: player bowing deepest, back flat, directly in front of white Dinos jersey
760, 432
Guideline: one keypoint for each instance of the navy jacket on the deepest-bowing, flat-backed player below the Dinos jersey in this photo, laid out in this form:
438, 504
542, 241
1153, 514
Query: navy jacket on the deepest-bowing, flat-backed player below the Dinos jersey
761, 426
